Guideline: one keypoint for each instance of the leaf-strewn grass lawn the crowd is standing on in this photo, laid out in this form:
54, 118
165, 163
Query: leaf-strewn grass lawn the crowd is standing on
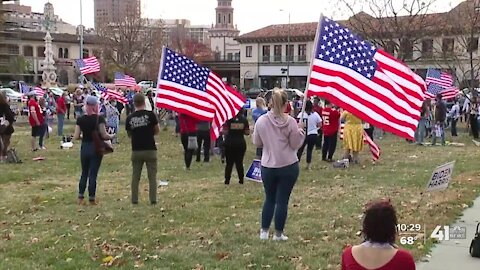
200, 223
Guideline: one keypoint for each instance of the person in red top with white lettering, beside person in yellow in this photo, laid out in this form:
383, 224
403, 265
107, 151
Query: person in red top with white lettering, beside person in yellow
330, 125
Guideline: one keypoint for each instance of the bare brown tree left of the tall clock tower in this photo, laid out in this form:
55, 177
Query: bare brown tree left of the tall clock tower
133, 45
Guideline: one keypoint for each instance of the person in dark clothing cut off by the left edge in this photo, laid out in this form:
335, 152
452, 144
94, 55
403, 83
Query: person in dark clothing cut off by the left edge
7, 118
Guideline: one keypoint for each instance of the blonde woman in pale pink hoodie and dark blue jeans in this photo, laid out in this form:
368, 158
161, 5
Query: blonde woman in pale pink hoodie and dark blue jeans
280, 136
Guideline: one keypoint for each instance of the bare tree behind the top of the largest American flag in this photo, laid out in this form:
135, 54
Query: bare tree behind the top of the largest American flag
395, 25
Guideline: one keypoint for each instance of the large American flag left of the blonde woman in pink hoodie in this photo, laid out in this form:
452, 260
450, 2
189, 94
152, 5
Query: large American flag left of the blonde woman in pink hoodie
188, 88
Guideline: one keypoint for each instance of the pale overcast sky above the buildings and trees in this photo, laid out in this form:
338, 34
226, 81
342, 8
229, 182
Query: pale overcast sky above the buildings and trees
249, 14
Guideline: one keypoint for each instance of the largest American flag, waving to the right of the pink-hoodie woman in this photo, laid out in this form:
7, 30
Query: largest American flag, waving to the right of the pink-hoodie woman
366, 81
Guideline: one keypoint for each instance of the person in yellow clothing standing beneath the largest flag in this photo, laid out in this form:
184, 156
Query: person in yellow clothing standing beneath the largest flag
353, 136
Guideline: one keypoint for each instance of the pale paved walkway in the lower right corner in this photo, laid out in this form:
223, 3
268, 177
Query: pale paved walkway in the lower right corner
454, 254
